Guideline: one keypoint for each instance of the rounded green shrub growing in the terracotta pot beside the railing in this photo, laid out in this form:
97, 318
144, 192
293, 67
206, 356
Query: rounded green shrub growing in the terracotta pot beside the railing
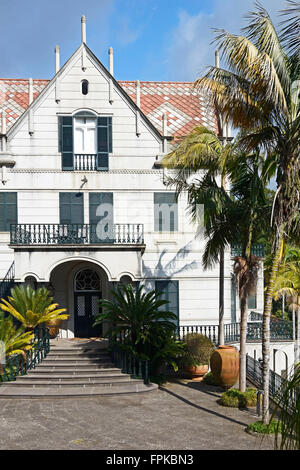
199, 348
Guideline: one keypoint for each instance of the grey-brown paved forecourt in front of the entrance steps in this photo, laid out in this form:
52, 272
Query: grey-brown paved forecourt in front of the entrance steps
182, 415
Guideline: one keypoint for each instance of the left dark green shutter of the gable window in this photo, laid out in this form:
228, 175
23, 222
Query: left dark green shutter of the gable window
66, 142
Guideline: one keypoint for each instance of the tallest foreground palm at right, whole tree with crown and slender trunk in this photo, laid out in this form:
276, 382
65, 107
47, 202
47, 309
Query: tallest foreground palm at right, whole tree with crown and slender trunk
259, 93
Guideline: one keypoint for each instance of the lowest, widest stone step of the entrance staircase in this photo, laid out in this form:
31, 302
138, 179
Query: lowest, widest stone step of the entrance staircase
73, 392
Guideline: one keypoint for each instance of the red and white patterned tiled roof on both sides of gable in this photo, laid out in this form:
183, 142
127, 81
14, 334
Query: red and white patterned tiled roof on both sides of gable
184, 106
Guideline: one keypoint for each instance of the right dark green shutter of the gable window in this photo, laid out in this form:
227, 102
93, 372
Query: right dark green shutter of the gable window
104, 142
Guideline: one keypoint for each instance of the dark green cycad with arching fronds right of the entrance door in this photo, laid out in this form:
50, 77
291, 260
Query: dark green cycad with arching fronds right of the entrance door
139, 314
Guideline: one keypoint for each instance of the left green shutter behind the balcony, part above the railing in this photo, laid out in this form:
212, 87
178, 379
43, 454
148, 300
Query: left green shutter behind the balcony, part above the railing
71, 208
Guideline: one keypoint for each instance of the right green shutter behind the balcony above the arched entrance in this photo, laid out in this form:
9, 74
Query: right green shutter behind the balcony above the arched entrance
101, 217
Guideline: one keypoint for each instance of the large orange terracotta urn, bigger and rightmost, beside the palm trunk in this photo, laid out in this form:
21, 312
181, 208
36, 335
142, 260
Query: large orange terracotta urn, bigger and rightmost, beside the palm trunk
224, 364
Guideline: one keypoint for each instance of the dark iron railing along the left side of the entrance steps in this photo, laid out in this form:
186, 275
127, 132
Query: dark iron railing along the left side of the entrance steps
19, 365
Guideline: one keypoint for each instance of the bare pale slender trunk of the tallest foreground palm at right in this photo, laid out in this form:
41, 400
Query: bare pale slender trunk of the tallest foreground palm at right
266, 332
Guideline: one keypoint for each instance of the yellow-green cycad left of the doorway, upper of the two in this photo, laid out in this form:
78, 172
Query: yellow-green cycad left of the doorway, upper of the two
32, 307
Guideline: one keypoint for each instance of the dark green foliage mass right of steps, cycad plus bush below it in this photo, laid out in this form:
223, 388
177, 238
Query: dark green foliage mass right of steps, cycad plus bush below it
148, 331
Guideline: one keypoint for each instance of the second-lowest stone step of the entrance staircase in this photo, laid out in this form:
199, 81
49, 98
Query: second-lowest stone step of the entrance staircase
99, 382
